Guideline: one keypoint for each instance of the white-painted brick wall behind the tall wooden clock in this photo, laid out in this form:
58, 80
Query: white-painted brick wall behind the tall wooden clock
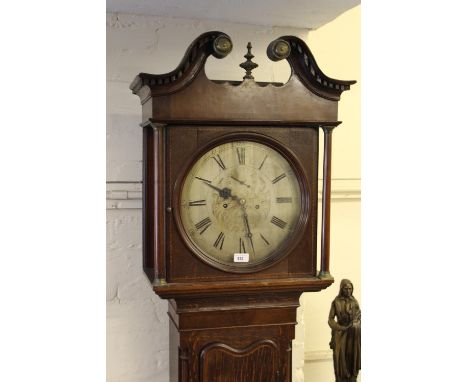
137, 324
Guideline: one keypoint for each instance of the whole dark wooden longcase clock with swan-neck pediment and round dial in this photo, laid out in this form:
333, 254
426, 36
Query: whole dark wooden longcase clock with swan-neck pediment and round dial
230, 207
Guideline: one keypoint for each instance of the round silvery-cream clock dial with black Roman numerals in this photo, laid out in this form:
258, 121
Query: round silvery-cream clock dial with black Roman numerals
241, 197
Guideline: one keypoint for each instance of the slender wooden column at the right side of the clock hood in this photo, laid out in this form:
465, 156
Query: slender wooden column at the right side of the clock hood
326, 193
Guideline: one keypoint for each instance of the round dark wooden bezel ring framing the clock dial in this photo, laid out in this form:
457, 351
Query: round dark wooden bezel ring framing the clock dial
287, 246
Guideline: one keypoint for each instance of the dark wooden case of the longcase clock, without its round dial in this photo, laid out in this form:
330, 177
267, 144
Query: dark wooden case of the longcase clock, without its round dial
236, 325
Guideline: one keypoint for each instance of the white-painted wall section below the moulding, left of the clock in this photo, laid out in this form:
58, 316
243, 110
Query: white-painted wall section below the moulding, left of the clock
137, 339
